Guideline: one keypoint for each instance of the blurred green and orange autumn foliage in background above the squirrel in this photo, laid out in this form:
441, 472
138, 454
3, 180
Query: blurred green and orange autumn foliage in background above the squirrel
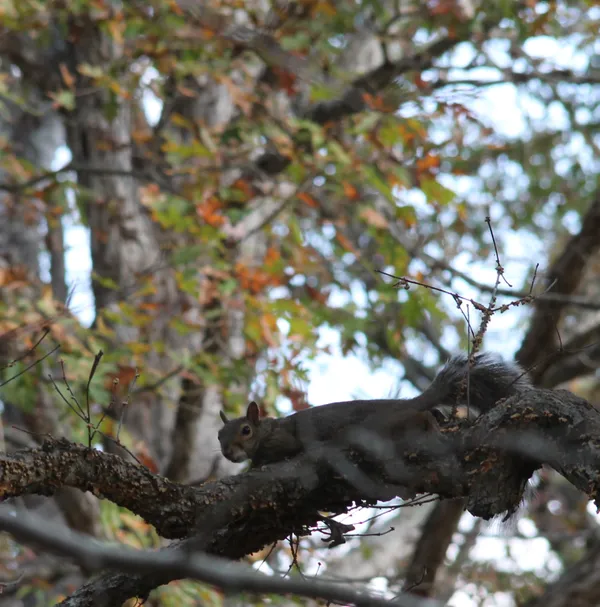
423, 163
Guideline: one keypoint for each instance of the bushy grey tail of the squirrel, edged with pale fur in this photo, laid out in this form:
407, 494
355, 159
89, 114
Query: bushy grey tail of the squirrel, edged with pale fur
479, 385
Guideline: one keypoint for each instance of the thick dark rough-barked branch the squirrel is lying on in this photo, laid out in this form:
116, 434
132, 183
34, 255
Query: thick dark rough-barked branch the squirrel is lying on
488, 463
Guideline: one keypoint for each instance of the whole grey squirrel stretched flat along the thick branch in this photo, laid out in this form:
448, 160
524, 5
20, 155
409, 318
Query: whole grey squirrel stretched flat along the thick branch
487, 379
